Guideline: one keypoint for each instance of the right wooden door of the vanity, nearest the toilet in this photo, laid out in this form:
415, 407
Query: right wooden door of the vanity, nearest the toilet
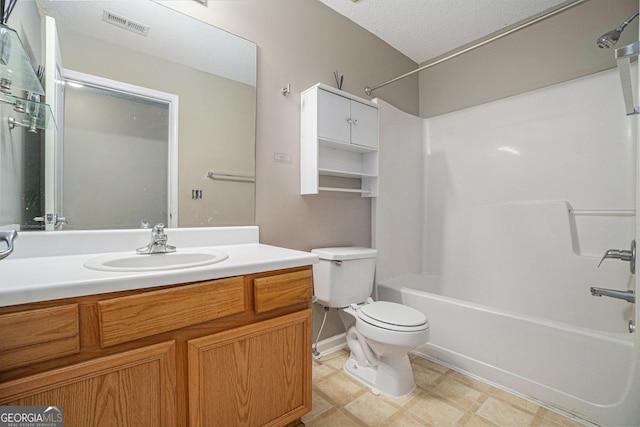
255, 375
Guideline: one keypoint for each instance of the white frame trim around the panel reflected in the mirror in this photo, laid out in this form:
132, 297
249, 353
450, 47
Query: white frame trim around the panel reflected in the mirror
173, 101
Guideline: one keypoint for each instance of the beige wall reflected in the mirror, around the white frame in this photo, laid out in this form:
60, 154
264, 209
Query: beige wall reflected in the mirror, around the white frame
212, 133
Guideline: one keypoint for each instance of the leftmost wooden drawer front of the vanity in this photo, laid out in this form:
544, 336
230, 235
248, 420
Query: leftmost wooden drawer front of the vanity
38, 335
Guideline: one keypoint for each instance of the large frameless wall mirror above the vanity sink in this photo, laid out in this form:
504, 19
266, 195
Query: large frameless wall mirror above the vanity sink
210, 72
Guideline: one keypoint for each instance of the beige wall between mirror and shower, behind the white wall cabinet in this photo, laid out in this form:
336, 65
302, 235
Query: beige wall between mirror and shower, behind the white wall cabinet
302, 42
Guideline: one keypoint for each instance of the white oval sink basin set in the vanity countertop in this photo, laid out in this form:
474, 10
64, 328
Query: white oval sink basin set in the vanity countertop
131, 261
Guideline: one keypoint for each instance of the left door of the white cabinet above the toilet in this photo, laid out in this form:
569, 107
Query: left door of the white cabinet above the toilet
334, 115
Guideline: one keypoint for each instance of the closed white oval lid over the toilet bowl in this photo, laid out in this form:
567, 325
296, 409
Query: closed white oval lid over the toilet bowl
389, 314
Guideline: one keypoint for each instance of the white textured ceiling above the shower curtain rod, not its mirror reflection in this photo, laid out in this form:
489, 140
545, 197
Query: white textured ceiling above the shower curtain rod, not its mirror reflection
425, 29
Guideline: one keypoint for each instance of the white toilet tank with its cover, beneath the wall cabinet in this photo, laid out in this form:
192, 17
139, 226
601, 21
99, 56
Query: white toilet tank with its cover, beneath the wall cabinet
344, 275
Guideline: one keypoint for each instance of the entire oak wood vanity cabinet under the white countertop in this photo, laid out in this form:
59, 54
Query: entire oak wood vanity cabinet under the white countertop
227, 352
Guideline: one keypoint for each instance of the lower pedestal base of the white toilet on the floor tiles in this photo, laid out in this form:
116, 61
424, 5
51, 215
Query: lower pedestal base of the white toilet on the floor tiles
392, 376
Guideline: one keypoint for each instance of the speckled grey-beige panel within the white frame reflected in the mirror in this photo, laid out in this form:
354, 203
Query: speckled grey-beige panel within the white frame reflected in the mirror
115, 158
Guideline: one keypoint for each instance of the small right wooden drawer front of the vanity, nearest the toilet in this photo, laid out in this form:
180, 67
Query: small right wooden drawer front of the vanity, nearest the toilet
273, 292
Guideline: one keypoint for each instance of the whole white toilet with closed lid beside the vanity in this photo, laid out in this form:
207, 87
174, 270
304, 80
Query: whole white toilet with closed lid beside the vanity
379, 334
